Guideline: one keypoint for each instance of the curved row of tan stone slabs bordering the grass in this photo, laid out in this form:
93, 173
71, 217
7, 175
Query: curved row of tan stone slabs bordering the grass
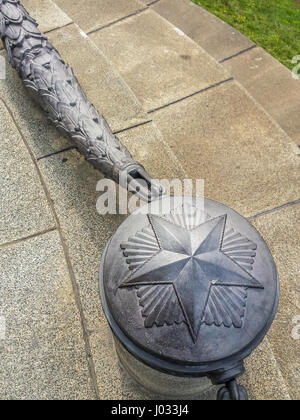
267, 80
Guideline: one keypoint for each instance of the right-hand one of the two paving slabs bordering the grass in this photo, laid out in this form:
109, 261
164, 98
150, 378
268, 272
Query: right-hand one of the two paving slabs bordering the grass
272, 85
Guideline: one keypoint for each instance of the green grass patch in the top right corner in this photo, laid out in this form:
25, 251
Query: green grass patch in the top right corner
272, 24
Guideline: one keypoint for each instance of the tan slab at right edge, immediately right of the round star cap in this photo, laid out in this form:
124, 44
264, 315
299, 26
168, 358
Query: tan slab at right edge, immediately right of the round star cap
281, 231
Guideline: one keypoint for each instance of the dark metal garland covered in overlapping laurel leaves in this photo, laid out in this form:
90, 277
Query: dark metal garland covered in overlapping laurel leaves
54, 86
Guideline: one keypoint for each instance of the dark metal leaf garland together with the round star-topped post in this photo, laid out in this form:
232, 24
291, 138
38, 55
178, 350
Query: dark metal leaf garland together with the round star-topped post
189, 295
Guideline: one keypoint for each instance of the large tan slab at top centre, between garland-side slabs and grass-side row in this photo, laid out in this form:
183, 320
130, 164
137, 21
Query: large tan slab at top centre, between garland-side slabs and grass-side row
158, 62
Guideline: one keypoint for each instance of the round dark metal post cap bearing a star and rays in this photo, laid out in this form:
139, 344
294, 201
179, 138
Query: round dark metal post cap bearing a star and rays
192, 292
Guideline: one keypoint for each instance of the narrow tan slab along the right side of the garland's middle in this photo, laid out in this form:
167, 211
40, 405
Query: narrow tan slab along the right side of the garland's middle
101, 83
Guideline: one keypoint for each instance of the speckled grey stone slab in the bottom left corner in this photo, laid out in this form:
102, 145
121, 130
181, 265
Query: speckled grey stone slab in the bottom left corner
43, 354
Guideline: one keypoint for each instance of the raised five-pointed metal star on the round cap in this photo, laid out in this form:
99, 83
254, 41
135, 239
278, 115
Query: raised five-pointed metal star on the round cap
192, 262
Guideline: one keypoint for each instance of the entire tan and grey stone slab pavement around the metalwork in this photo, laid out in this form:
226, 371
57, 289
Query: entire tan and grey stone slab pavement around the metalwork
188, 112
